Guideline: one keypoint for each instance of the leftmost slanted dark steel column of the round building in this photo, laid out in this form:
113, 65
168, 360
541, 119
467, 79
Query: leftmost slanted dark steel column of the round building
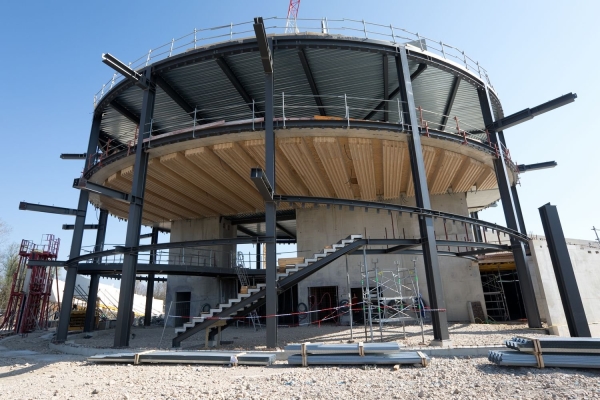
67, 297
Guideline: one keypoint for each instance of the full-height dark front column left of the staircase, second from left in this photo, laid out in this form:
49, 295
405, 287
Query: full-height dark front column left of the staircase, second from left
134, 220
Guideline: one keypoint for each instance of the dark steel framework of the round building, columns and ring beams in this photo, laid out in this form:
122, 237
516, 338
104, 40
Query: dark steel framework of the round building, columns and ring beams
131, 101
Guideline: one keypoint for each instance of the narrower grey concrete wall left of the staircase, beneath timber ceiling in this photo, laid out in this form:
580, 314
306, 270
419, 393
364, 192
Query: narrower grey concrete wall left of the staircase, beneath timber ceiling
203, 289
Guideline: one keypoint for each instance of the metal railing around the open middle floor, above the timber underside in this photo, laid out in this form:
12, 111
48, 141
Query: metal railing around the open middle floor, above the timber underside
288, 108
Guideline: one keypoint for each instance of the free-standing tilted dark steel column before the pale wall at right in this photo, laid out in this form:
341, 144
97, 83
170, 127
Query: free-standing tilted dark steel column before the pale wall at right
563, 269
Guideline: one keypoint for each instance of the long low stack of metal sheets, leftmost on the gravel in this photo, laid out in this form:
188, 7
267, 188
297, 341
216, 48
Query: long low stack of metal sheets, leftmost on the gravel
187, 357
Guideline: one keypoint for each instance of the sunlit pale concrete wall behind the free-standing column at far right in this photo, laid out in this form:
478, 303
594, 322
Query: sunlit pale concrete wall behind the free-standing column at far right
585, 257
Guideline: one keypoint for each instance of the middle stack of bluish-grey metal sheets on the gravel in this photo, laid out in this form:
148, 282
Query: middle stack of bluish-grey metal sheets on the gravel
352, 354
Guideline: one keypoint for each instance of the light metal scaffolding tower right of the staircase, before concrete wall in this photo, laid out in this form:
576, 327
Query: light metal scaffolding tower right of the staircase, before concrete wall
391, 296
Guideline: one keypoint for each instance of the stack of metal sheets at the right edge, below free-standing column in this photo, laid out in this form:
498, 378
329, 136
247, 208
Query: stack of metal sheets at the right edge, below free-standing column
549, 352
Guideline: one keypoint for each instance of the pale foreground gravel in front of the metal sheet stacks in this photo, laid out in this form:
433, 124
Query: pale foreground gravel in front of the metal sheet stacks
444, 378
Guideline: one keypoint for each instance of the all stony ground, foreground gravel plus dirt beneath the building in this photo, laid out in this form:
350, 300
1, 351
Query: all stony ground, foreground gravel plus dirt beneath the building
30, 370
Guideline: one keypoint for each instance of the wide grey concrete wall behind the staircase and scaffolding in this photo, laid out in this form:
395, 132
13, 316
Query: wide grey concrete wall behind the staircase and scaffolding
319, 227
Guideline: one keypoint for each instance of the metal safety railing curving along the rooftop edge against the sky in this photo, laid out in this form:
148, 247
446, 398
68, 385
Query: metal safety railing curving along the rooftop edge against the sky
276, 25
